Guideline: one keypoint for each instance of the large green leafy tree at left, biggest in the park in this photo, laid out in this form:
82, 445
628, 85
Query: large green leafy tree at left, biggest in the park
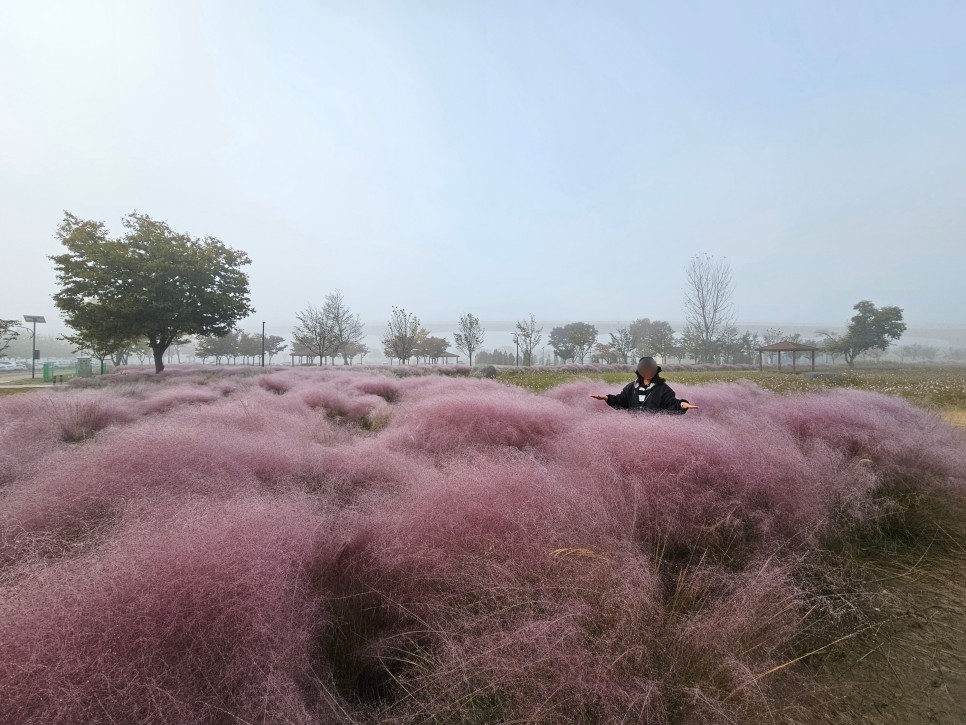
152, 284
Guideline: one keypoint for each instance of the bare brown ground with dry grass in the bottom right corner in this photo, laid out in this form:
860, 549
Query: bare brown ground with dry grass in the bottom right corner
907, 662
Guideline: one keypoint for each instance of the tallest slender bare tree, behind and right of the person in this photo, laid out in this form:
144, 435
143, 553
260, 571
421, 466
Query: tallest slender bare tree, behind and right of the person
709, 307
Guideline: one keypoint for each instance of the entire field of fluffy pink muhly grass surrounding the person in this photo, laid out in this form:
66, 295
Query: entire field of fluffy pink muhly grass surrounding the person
314, 546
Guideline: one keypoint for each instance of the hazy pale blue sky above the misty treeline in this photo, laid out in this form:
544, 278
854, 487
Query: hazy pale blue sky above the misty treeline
560, 158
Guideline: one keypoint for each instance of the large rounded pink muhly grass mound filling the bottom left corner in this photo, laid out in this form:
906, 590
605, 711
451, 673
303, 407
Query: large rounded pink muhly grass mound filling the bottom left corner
199, 615
